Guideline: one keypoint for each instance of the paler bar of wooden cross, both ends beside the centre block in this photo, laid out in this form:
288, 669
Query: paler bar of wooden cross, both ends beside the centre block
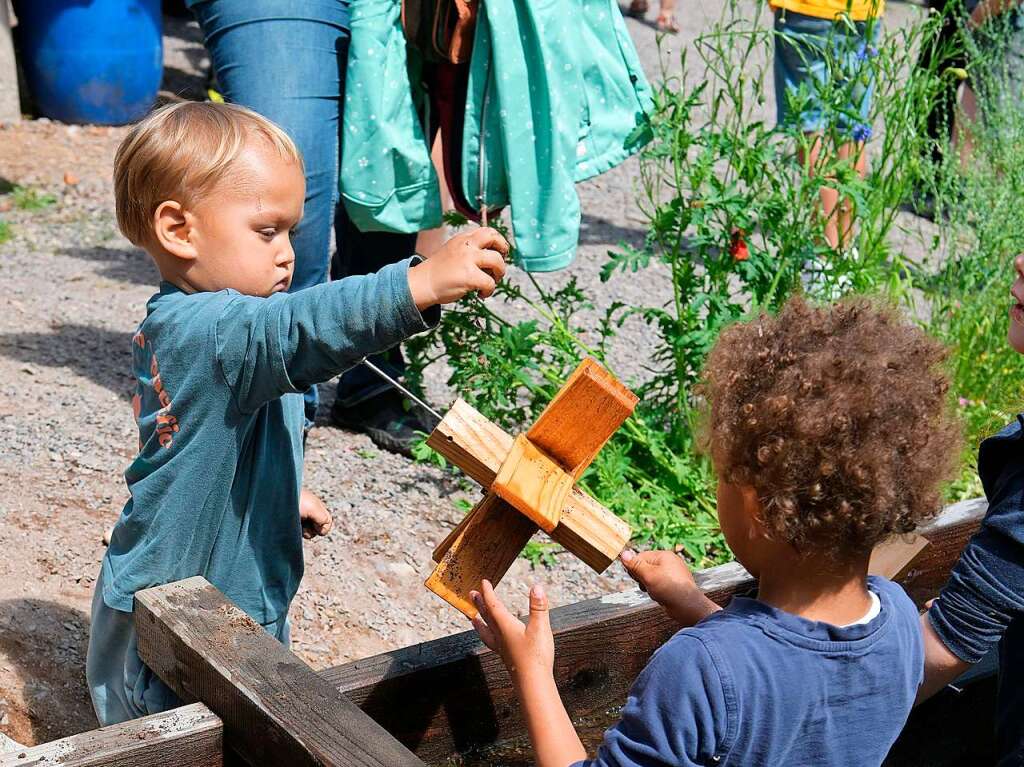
479, 447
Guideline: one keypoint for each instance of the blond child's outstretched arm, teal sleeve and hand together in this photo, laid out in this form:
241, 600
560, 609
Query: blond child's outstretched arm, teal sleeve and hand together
286, 344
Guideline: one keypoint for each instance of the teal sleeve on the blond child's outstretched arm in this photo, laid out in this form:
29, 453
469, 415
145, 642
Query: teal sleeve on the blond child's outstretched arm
288, 343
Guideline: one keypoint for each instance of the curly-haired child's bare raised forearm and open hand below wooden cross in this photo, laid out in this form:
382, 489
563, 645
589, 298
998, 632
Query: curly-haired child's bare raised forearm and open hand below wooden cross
529, 653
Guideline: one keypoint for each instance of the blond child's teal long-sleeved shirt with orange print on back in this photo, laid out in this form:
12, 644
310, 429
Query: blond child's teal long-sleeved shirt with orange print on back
216, 486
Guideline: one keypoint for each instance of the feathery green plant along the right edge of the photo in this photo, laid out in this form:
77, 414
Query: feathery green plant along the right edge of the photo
982, 230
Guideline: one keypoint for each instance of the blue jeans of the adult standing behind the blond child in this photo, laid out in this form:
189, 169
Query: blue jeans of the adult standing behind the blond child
287, 61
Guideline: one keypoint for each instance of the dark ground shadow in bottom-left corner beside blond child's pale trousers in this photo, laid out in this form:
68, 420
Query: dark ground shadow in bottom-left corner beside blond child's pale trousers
45, 645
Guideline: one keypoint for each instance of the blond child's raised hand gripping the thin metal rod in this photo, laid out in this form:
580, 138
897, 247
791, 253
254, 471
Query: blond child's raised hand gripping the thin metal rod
465, 264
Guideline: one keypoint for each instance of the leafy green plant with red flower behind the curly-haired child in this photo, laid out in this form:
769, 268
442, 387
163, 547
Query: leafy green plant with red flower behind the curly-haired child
734, 221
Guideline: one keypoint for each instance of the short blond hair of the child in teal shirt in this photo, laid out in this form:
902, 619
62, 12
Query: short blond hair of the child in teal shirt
182, 153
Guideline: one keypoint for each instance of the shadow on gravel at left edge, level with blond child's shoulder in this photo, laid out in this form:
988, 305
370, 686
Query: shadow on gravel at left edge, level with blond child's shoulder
102, 356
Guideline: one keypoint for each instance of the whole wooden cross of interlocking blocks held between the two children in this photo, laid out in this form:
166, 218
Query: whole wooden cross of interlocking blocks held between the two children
531, 485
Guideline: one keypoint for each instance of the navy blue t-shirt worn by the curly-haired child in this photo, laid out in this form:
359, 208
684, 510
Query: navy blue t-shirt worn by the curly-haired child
753, 686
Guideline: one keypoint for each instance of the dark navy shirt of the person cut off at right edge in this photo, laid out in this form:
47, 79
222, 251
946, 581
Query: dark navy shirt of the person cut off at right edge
983, 603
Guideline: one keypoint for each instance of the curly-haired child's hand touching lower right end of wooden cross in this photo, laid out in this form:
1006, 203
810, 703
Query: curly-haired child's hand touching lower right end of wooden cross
668, 581
